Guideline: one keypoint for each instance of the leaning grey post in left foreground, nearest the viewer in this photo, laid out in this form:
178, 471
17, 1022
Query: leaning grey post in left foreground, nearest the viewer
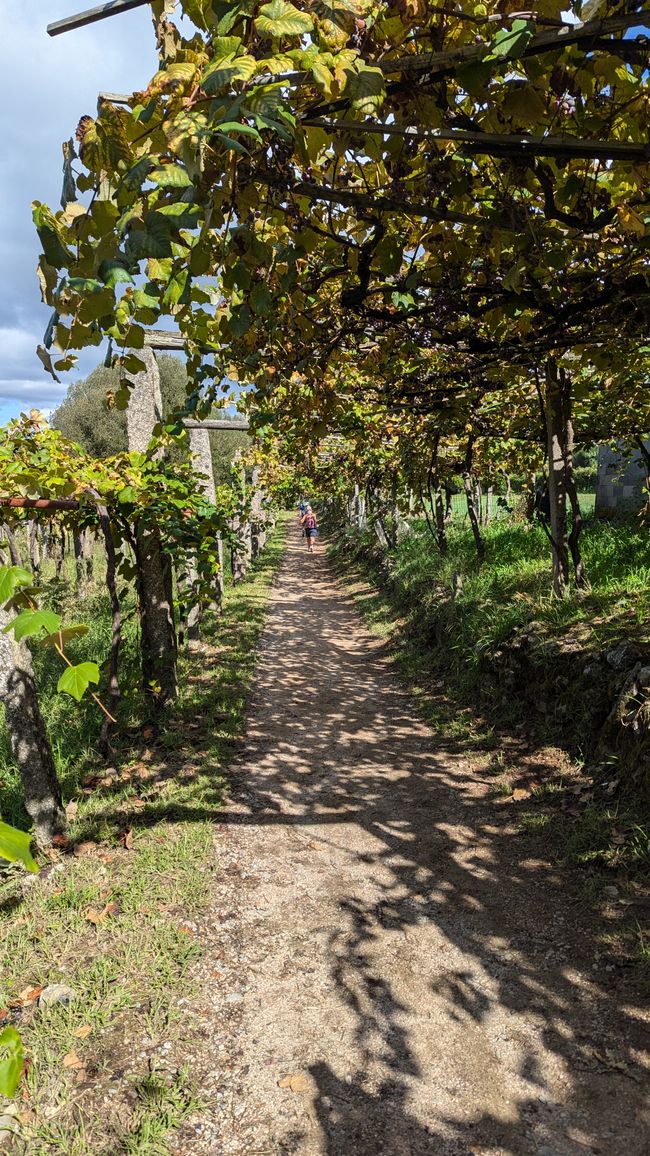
29, 739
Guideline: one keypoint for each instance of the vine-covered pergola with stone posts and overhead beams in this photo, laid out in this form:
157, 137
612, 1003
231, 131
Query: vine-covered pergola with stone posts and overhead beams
422, 228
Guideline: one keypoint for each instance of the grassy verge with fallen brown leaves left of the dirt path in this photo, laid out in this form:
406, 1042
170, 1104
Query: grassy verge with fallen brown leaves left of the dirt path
114, 916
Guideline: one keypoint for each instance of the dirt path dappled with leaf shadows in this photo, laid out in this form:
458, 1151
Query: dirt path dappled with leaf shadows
385, 938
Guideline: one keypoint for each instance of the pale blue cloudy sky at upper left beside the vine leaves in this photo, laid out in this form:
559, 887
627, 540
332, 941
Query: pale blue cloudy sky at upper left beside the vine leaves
46, 86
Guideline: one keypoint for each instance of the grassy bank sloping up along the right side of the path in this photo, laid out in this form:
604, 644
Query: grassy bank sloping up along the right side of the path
444, 647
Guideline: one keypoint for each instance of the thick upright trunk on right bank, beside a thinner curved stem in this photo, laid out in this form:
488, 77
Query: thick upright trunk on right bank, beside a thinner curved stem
557, 418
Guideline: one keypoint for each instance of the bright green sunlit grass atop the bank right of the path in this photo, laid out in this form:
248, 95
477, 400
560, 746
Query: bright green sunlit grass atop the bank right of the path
512, 589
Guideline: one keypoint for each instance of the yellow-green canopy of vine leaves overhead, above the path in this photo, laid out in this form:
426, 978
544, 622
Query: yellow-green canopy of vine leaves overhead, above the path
403, 206
